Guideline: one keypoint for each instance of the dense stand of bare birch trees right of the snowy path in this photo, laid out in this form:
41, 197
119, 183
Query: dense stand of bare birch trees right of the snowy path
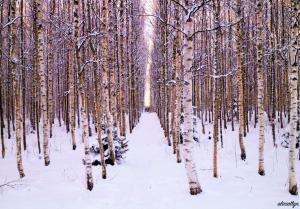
224, 61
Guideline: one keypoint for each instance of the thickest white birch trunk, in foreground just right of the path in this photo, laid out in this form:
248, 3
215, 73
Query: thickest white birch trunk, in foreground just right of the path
188, 107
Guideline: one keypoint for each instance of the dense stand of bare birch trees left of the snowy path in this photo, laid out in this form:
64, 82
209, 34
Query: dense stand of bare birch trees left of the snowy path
74, 63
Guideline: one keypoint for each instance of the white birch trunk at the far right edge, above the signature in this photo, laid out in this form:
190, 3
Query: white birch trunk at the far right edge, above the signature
293, 78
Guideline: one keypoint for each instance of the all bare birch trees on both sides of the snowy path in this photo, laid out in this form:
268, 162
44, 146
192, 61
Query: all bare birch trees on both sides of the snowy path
85, 64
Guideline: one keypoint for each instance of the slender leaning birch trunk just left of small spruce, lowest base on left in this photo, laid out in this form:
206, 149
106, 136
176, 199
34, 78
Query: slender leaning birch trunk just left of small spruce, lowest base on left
84, 121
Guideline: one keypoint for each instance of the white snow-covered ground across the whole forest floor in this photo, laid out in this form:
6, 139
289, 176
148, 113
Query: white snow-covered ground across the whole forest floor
149, 178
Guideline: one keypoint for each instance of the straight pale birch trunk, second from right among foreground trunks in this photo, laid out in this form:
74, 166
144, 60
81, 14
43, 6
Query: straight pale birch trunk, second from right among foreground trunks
260, 89
